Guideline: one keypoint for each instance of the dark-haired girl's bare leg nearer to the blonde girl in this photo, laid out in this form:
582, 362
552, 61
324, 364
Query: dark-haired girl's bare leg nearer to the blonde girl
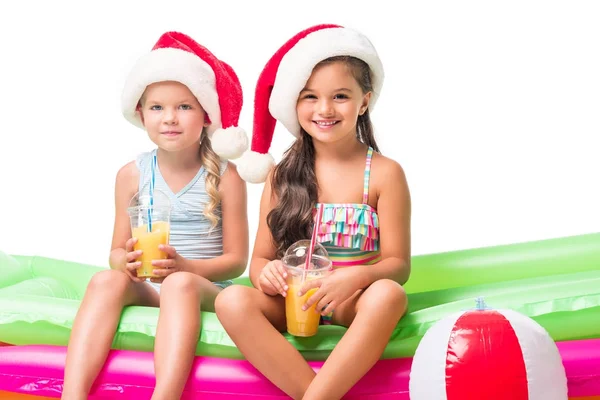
254, 321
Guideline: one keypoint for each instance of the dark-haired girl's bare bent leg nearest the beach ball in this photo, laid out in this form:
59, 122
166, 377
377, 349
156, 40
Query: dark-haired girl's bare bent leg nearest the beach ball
371, 316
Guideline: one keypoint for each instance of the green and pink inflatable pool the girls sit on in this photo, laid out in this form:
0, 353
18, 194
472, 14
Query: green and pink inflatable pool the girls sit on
555, 282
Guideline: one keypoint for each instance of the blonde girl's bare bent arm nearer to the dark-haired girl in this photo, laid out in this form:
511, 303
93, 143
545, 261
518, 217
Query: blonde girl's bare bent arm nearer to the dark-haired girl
235, 232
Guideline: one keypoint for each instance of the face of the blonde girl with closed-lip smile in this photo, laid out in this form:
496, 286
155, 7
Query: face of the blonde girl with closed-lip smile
172, 116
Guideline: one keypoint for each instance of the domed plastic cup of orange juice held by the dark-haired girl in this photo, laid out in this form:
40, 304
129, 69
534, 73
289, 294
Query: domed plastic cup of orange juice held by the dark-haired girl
299, 322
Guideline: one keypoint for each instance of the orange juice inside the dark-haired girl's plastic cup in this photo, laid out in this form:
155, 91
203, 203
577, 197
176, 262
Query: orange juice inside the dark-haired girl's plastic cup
299, 322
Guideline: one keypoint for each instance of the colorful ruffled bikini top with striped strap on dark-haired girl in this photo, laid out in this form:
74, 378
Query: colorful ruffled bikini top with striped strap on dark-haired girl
350, 231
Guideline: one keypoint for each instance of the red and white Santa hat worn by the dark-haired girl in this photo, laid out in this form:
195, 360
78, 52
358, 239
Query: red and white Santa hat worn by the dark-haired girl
285, 75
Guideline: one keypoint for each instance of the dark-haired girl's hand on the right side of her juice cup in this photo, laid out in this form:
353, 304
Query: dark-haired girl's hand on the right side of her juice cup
334, 289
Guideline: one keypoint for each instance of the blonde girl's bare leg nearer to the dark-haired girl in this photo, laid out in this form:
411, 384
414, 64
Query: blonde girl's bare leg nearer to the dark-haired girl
182, 296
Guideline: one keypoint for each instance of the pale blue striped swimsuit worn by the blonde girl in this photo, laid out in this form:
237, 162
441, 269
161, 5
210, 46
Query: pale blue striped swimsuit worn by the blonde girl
189, 233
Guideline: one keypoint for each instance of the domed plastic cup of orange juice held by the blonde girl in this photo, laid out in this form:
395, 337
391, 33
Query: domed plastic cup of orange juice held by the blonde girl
150, 225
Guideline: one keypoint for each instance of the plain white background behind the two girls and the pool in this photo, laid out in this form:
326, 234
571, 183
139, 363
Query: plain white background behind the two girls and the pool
492, 108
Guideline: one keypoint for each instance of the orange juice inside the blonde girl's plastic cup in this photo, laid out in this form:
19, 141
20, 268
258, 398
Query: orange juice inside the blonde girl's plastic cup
148, 242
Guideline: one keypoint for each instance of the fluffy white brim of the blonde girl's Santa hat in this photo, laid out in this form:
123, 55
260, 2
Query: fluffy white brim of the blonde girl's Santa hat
170, 64
